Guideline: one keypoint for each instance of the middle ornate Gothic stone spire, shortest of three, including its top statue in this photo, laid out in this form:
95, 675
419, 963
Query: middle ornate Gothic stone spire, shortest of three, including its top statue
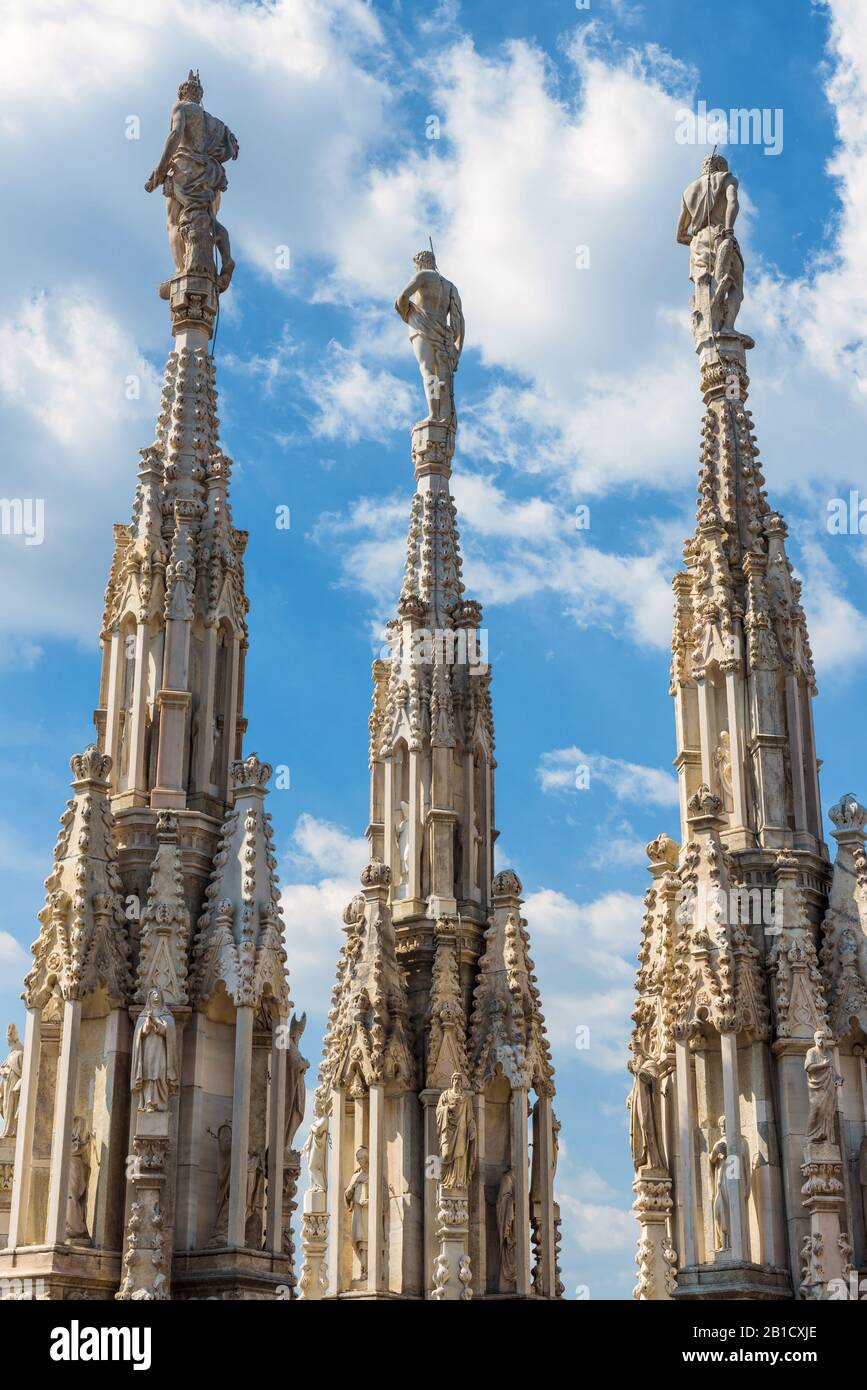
436, 1036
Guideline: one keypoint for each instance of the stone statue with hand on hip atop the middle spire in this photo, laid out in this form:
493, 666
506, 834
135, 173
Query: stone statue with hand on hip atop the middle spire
433, 309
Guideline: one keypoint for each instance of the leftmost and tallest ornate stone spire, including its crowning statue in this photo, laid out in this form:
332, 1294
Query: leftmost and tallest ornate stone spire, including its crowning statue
163, 1056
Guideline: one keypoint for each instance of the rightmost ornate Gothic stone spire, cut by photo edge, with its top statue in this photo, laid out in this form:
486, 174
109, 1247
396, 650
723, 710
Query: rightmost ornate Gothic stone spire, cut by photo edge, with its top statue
737, 1142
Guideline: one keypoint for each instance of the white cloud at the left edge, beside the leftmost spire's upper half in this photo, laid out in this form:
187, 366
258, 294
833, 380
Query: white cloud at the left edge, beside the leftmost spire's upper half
73, 389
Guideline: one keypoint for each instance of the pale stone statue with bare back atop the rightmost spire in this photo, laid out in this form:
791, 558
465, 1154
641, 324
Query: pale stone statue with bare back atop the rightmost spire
709, 212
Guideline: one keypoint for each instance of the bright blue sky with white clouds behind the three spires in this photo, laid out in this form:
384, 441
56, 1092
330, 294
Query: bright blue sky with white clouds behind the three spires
579, 387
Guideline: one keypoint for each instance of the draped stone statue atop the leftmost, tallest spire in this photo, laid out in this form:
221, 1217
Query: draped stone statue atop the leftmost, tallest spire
192, 179
